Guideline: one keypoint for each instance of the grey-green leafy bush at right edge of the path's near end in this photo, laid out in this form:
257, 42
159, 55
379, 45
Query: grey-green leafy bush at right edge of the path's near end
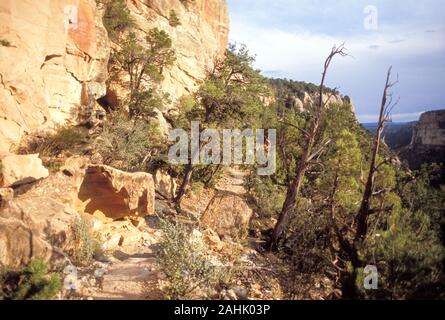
184, 261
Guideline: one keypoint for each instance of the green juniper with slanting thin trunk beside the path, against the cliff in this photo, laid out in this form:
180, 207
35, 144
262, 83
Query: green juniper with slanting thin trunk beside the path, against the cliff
229, 97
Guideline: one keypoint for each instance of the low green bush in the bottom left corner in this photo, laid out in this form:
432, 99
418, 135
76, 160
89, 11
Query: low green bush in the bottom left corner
31, 283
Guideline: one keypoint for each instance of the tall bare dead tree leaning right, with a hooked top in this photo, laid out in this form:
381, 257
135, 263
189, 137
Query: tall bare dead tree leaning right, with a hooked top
309, 153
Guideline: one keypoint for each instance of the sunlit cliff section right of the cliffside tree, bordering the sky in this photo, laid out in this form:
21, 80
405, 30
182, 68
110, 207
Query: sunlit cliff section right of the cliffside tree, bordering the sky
200, 37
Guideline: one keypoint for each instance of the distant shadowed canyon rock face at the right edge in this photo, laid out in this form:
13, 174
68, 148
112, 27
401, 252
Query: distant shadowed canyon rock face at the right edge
430, 130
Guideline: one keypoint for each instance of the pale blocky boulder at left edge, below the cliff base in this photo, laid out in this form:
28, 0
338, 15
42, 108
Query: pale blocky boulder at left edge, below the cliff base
16, 170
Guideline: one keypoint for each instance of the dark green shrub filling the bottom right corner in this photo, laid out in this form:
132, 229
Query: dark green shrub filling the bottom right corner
408, 257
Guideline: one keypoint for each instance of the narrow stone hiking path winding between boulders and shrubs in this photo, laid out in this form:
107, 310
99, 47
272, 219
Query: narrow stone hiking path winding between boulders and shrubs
133, 274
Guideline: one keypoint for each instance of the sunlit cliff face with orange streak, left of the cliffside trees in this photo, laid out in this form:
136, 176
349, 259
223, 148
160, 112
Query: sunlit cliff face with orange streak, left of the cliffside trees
53, 65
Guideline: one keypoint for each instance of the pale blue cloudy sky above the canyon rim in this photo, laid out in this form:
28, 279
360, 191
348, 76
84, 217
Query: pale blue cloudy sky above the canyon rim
291, 39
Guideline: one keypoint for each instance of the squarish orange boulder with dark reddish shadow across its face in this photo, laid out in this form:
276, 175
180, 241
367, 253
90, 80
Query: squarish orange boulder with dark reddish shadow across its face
116, 194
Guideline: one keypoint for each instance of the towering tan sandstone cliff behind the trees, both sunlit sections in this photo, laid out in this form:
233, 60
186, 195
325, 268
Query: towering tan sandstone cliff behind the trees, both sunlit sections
54, 57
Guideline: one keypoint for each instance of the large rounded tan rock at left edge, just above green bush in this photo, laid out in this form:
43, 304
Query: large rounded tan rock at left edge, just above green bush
33, 227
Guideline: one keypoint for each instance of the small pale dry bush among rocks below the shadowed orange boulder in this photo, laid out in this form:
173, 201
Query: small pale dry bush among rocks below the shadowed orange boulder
87, 244
